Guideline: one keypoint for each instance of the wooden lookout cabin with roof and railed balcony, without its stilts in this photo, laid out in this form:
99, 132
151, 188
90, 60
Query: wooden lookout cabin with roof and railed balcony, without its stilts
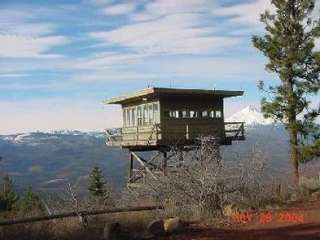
158, 117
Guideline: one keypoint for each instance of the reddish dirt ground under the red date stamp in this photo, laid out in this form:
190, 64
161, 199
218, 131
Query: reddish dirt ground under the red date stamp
299, 221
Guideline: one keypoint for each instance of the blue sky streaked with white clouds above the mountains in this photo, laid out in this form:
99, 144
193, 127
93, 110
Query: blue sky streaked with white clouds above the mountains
60, 59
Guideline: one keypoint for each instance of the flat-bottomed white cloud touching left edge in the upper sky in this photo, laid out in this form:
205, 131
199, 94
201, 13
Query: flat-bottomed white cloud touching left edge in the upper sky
29, 47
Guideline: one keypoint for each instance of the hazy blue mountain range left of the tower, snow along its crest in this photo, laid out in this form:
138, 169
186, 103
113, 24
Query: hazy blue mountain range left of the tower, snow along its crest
43, 159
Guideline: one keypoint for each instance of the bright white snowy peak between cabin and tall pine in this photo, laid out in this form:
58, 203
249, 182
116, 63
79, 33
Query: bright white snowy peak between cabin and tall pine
251, 116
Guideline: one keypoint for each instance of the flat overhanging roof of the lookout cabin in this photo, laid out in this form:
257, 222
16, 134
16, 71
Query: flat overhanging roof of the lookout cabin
163, 92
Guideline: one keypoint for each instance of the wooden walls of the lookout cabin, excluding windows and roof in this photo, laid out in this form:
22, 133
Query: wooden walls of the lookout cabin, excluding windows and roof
174, 130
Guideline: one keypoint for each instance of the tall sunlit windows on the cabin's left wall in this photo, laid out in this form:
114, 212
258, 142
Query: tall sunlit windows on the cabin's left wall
142, 115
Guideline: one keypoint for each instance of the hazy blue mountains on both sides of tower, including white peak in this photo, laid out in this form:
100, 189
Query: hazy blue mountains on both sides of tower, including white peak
47, 161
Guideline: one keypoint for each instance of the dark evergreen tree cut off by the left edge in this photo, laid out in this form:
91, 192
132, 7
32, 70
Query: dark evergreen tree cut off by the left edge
8, 197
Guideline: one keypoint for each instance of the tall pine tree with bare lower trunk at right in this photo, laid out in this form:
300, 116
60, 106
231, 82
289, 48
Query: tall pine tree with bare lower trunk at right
289, 45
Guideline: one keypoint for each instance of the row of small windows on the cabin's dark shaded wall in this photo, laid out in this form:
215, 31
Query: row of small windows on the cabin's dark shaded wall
193, 114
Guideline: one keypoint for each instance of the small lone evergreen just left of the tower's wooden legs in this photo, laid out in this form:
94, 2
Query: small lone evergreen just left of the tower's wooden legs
97, 184
